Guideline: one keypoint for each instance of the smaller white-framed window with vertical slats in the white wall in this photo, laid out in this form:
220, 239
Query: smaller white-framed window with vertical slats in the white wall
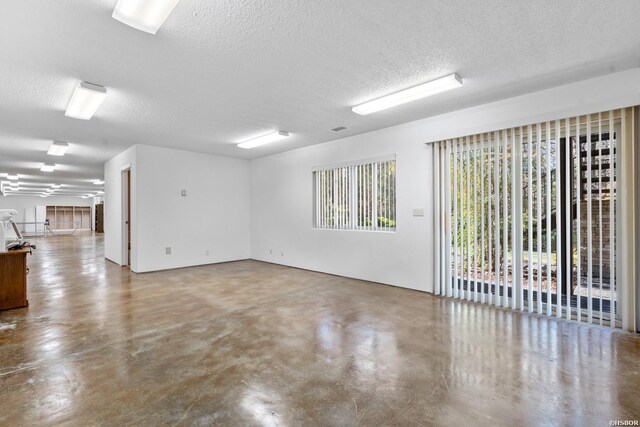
359, 196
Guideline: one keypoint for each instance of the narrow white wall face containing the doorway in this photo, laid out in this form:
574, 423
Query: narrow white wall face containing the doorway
113, 205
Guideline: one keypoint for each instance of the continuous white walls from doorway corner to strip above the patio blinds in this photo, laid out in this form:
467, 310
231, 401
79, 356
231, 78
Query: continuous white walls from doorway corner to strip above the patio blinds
261, 209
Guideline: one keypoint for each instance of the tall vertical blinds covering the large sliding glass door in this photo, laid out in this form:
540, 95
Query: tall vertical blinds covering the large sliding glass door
529, 218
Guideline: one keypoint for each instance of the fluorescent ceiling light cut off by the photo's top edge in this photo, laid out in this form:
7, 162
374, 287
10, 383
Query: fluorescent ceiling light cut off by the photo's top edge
144, 15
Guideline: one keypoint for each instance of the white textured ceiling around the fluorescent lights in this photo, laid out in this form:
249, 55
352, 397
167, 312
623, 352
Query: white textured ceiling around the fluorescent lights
220, 72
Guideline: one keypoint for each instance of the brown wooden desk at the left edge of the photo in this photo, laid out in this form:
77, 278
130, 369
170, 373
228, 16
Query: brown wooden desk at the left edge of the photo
13, 279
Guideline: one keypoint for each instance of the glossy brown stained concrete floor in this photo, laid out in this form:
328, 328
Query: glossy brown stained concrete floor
249, 343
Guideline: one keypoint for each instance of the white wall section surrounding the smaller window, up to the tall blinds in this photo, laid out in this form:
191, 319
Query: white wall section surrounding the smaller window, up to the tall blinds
282, 215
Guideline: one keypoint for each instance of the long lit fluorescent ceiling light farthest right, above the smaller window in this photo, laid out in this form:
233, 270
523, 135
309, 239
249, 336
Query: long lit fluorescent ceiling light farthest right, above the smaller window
433, 87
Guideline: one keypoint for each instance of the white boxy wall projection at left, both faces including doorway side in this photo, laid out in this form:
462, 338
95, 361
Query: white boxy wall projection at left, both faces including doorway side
213, 217
